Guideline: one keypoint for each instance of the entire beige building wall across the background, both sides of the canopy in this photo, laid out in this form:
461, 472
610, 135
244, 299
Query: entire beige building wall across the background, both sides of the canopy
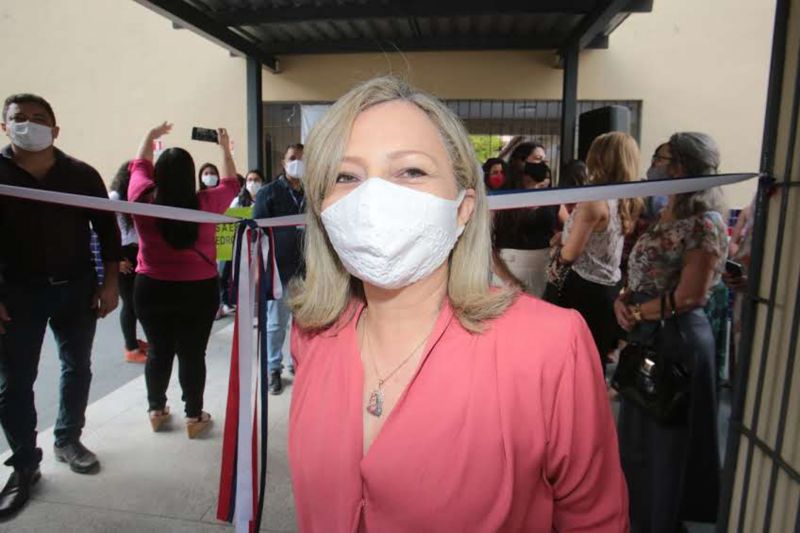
112, 68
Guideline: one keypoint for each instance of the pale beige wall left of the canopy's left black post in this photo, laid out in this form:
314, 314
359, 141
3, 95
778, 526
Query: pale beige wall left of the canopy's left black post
112, 69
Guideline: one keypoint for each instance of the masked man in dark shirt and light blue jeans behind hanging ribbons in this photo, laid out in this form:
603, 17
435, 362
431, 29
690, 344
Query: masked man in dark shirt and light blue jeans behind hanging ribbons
282, 197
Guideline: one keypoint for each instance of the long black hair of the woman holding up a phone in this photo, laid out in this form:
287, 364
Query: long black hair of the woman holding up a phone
174, 177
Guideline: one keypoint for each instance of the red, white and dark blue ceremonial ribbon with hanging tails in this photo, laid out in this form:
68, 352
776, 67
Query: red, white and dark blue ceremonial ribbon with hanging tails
242, 482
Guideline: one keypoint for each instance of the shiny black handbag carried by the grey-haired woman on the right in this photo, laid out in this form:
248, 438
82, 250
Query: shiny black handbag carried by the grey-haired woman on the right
651, 373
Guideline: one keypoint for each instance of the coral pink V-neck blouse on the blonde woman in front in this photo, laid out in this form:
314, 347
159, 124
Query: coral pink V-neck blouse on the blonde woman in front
509, 430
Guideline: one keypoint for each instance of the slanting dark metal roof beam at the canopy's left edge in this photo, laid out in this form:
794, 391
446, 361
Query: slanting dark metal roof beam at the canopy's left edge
184, 15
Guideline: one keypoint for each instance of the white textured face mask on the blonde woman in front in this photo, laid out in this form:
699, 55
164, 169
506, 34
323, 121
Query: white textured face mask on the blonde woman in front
392, 236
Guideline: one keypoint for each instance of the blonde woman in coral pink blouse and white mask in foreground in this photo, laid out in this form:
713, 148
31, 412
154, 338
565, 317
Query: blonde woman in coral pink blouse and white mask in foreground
425, 399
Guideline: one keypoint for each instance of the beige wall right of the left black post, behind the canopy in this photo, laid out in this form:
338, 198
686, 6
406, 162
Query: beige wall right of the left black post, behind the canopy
695, 65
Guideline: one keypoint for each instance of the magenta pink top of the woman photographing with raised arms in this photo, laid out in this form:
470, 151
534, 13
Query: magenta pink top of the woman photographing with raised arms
157, 259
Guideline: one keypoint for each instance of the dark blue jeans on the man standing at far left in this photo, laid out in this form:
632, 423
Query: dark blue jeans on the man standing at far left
67, 307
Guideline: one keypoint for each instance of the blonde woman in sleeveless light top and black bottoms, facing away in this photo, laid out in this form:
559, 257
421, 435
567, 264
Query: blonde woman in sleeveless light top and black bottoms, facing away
584, 272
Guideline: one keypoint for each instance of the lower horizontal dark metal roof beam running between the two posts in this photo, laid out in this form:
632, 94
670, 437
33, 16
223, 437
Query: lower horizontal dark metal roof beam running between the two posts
463, 42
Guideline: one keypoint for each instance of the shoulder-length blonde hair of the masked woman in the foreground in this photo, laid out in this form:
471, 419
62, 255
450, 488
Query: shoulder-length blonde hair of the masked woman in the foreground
320, 299
